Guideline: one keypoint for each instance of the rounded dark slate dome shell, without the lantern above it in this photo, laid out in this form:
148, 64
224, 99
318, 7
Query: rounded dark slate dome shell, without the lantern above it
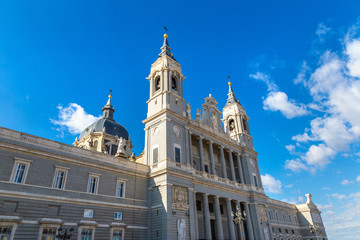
111, 127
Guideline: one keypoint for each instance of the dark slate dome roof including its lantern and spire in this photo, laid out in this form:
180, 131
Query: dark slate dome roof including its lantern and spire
107, 124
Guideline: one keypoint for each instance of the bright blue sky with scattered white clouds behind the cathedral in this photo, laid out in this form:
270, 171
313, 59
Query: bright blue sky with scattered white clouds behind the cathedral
294, 65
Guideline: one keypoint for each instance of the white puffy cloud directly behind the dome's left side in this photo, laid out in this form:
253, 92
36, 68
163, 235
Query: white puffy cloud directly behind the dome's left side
73, 119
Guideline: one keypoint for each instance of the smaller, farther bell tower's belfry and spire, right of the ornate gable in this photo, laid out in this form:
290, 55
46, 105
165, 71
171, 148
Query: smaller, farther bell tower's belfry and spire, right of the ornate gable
236, 120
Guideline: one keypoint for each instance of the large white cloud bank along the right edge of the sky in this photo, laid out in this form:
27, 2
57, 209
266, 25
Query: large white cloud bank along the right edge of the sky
334, 85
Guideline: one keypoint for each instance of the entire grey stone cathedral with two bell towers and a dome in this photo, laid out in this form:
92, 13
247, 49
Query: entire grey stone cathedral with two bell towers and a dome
196, 178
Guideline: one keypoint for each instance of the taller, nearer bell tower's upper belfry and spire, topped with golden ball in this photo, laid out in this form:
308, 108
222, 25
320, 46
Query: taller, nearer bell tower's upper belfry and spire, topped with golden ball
166, 91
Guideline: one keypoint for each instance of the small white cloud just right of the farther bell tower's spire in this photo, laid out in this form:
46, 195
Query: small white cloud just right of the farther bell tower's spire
279, 101
